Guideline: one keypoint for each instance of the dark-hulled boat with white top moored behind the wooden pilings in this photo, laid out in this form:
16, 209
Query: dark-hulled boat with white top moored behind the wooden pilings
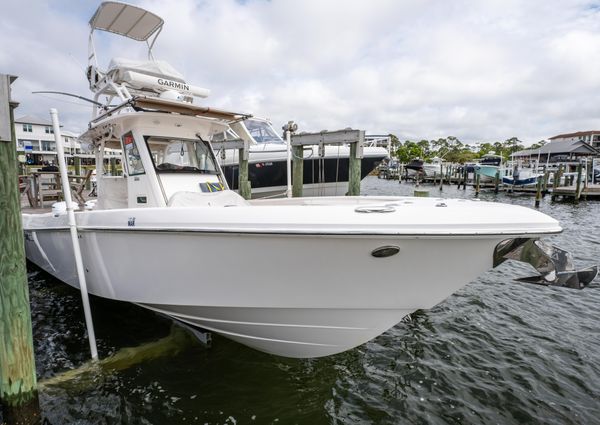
325, 170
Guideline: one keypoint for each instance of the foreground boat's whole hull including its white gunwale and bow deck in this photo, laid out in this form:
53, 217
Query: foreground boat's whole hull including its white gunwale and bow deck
296, 288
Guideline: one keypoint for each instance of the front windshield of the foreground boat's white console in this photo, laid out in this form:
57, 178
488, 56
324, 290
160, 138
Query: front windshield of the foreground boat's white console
181, 155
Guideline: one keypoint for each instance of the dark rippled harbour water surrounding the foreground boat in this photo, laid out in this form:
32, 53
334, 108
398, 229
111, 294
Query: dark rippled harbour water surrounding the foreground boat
495, 352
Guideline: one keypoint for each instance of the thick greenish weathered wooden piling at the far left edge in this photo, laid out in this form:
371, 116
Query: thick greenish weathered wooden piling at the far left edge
18, 384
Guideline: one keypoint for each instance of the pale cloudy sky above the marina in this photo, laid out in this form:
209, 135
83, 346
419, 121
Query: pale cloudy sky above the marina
482, 71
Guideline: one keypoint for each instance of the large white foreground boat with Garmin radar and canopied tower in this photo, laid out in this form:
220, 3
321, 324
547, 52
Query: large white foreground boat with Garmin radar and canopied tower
299, 277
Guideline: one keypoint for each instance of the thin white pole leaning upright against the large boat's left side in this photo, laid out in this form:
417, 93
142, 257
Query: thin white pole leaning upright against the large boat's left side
74, 237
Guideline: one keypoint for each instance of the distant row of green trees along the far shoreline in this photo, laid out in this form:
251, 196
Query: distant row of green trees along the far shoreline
451, 149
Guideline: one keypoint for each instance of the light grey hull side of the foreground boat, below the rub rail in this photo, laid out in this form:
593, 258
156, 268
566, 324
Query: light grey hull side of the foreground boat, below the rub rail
276, 294
